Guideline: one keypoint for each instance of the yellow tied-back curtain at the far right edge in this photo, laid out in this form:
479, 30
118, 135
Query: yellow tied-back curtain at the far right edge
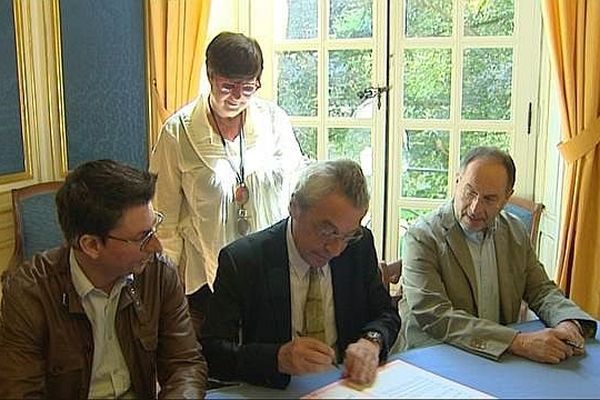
573, 31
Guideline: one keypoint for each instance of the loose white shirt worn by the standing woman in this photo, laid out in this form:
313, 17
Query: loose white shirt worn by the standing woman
196, 183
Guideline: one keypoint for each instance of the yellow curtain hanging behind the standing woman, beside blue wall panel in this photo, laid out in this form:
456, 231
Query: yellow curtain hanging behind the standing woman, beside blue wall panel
177, 35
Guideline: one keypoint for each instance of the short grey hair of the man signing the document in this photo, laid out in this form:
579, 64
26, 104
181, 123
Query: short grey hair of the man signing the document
334, 176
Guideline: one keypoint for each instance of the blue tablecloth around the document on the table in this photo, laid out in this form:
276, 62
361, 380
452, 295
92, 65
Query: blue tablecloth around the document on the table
512, 377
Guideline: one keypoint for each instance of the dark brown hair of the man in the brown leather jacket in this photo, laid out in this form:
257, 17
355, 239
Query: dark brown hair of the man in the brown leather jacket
95, 195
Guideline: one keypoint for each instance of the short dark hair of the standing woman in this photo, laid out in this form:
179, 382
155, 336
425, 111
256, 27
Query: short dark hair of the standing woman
234, 56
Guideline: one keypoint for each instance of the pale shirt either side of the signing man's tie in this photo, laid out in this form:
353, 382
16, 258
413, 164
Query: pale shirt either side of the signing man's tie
299, 281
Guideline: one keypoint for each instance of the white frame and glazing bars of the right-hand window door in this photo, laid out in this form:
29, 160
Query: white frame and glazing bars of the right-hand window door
525, 91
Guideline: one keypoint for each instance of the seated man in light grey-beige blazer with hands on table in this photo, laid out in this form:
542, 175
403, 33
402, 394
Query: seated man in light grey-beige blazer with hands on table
468, 265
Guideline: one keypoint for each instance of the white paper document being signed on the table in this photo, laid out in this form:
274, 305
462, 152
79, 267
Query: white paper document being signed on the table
398, 380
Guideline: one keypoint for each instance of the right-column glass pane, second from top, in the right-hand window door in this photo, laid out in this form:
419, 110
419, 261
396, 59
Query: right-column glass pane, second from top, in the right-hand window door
487, 81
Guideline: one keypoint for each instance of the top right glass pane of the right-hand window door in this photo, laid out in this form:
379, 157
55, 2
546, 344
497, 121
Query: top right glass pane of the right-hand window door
489, 18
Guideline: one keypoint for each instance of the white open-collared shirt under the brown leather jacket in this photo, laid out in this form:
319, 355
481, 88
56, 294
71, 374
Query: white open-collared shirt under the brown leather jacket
110, 375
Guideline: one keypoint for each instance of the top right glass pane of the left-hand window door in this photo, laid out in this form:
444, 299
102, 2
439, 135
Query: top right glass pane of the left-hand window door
350, 19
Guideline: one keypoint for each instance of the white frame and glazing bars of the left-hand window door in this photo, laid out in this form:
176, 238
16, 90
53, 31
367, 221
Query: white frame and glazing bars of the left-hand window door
266, 12
